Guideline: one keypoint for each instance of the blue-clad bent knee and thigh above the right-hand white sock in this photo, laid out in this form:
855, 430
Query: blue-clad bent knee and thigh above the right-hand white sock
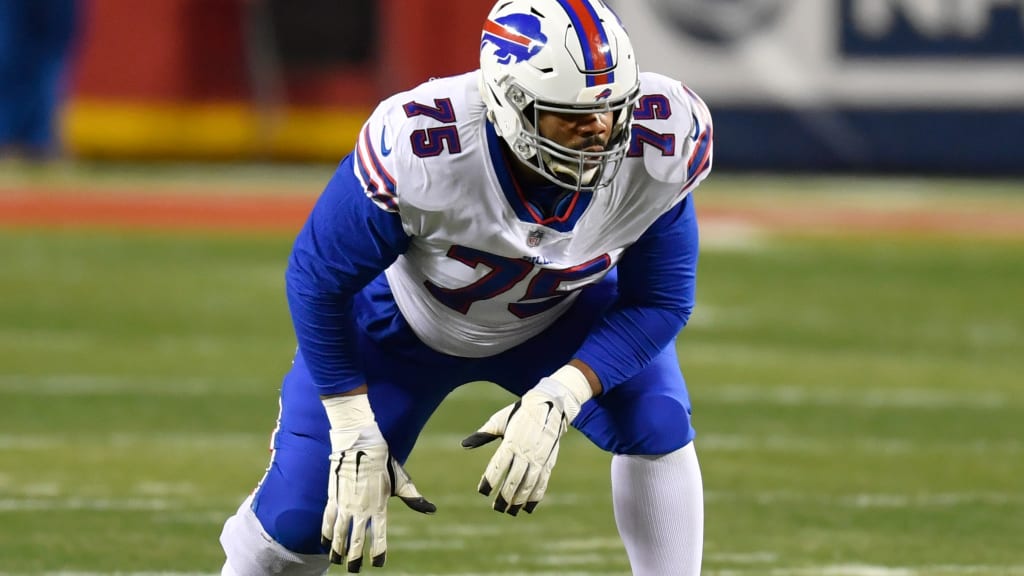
648, 415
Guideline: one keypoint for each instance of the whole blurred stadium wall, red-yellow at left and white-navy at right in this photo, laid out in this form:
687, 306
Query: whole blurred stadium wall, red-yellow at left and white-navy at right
867, 86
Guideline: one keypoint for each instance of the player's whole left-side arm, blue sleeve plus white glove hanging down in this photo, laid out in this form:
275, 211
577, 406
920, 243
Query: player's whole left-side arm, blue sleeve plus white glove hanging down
347, 242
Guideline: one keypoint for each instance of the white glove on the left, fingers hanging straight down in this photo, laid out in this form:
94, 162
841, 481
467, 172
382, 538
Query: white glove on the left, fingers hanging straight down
363, 477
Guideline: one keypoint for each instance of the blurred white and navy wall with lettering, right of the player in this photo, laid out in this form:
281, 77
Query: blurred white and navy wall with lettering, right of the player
908, 86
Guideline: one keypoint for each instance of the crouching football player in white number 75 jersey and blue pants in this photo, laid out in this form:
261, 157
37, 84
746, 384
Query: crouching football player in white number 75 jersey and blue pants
532, 225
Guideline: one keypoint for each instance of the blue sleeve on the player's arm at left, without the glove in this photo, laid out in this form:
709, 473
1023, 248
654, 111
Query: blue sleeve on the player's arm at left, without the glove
347, 242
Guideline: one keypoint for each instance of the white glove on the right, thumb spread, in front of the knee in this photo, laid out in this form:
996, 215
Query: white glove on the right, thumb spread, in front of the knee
532, 429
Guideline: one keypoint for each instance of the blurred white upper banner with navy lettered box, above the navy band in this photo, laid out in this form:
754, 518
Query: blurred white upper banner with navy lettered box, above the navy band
862, 54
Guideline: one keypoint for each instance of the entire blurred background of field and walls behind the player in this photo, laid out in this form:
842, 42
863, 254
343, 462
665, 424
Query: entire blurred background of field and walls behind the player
857, 359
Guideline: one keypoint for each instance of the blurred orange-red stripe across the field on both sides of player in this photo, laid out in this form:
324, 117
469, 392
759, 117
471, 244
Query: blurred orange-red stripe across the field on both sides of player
221, 211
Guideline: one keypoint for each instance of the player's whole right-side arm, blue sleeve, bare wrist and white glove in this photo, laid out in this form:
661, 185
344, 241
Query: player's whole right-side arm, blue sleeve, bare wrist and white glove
657, 282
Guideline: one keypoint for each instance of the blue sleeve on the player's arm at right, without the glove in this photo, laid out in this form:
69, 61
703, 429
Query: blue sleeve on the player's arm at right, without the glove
657, 286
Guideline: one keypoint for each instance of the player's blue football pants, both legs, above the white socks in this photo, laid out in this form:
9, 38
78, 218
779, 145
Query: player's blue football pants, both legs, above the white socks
649, 415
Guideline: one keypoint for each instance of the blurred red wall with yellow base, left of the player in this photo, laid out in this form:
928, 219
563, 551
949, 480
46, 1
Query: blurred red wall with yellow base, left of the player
204, 79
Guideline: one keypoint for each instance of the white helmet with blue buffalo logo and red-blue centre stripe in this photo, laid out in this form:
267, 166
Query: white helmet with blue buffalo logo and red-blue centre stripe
565, 57
